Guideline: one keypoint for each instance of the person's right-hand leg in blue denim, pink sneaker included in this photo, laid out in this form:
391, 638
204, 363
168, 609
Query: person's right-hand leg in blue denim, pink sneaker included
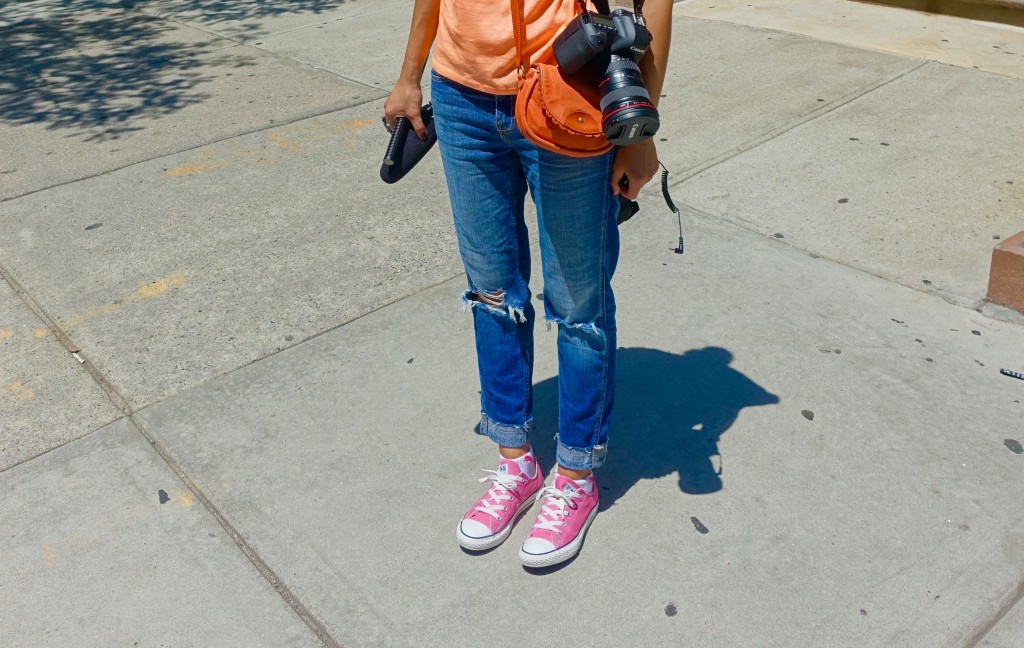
580, 249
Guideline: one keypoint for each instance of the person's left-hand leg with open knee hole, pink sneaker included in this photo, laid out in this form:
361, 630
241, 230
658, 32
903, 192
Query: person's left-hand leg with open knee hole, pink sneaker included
488, 188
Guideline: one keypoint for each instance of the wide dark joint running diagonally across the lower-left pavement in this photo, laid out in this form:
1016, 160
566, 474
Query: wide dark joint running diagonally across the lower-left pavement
269, 575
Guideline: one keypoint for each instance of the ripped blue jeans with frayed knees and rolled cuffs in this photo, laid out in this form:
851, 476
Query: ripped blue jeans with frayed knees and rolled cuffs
490, 166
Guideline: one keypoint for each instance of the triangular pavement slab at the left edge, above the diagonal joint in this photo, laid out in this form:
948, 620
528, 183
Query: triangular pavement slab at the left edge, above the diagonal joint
47, 400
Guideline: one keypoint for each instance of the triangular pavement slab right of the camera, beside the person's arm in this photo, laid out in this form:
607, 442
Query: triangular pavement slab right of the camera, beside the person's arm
729, 87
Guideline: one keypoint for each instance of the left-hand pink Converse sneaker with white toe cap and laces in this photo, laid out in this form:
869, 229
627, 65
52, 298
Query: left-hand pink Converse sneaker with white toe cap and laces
511, 494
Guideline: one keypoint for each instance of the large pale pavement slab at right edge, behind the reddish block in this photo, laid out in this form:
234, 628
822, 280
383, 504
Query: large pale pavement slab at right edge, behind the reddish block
916, 182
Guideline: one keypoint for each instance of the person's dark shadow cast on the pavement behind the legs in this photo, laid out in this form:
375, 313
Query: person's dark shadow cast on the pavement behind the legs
670, 413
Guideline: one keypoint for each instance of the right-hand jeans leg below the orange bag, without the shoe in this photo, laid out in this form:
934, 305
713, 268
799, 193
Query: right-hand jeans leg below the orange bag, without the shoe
580, 249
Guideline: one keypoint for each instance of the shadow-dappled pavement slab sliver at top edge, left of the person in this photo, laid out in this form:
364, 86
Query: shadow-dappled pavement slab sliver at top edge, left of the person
251, 21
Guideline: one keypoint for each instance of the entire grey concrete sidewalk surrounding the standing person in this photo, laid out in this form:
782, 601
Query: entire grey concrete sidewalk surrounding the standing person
234, 367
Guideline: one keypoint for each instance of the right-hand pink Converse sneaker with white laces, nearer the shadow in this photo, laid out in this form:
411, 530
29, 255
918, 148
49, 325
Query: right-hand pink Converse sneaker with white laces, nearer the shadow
559, 532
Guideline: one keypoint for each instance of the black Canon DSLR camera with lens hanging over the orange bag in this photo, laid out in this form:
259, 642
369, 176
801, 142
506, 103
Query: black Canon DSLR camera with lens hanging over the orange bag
613, 45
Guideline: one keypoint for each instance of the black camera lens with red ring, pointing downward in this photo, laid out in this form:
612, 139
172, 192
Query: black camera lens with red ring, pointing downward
629, 116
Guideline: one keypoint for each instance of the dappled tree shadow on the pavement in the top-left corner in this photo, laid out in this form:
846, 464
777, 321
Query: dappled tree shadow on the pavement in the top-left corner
97, 70
